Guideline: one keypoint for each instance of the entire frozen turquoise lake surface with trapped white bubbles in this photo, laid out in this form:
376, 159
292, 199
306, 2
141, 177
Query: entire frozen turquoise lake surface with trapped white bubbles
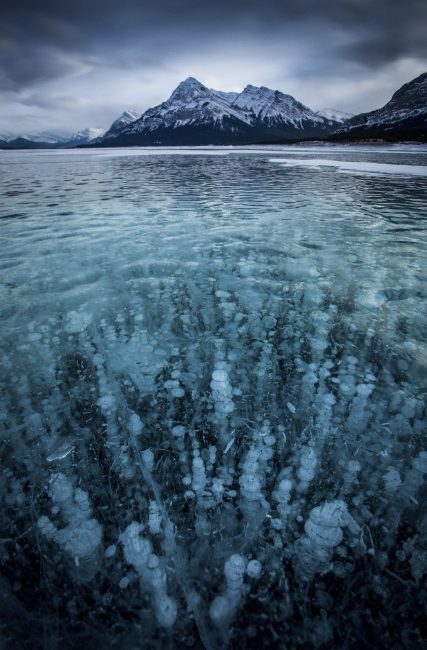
213, 373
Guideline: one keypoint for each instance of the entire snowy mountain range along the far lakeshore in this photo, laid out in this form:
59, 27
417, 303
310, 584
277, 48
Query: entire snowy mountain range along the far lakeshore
197, 115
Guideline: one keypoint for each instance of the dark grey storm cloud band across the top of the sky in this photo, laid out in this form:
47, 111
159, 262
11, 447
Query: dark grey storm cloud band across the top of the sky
53, 37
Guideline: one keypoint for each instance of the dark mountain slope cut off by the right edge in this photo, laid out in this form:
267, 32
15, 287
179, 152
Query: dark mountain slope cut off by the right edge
403, 117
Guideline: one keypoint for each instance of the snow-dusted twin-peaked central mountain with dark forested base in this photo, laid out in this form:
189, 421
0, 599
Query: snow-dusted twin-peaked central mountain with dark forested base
197, 115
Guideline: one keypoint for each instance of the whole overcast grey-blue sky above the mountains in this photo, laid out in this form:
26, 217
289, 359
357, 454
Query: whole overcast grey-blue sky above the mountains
69, 64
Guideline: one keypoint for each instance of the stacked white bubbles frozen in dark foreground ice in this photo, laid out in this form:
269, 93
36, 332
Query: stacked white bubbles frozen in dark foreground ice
230, 470
